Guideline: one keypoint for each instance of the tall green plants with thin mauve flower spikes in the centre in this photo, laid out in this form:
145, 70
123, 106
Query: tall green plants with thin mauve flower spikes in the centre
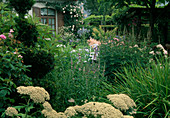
73, 78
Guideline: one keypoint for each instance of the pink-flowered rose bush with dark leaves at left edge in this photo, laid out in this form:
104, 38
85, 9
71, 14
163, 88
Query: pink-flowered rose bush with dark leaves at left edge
12, 71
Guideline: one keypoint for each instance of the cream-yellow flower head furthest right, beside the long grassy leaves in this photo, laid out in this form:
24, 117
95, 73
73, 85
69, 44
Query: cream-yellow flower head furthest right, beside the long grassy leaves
121, 101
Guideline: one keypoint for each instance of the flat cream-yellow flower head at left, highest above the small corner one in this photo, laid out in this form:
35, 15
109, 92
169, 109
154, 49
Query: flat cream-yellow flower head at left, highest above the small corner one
37, 94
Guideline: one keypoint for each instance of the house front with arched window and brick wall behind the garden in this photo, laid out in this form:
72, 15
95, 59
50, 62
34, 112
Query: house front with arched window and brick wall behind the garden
48, 14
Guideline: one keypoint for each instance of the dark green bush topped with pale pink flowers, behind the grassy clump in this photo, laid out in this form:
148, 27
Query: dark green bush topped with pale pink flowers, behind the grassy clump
117, 55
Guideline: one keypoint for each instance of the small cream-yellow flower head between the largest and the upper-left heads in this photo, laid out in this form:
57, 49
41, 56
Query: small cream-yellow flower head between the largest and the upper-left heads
49, 112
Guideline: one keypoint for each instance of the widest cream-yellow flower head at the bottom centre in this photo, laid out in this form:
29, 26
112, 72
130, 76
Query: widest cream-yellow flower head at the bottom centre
99, 109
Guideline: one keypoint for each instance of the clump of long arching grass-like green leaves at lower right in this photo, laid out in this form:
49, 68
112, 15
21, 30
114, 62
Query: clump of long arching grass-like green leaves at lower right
149, 87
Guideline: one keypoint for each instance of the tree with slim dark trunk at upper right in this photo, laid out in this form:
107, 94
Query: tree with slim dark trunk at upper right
149, 4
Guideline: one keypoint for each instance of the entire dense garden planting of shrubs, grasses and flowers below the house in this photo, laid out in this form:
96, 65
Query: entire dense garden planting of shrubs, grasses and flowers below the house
84, 71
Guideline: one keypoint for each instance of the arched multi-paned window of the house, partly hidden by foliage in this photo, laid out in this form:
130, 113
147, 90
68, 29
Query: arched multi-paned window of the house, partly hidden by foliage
47, 16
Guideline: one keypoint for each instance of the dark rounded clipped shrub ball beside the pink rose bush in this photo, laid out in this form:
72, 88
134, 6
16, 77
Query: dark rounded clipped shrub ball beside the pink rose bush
41, 62
